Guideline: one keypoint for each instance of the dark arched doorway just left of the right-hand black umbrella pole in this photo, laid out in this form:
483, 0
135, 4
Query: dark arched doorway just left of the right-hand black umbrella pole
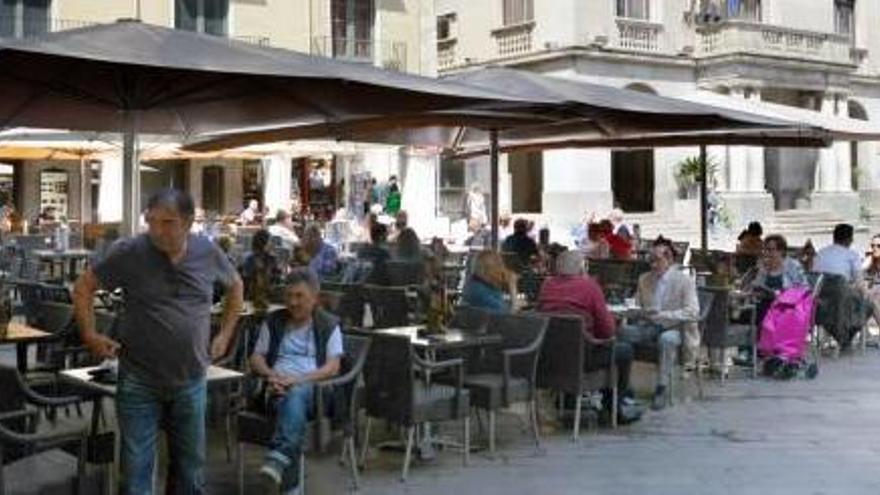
632, 173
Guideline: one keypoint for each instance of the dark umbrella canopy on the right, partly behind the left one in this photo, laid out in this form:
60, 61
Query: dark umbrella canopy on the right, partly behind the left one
571, 113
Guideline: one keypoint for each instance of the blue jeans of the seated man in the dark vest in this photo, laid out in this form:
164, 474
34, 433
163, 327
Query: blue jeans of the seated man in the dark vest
292, 412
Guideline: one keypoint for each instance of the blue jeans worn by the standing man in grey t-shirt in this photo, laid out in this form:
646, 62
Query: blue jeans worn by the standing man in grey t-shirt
142, 408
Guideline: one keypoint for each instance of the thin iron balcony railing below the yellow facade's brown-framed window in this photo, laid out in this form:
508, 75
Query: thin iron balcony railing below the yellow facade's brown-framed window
387, 54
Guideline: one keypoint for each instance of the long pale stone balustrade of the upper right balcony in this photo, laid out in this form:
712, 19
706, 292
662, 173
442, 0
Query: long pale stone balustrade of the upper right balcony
738, 37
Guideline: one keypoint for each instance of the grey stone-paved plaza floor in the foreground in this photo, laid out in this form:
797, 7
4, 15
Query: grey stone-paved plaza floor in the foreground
749, 437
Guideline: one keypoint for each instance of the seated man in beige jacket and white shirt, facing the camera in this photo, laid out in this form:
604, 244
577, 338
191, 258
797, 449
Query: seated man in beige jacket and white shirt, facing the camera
669, 298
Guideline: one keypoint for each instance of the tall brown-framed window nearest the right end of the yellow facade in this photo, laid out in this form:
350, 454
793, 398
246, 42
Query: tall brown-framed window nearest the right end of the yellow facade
352, 25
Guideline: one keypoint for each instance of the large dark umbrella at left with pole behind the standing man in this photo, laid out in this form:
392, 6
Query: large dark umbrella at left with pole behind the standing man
132, 77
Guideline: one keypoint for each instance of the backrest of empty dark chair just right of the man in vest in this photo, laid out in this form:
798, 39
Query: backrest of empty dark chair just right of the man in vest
389, 378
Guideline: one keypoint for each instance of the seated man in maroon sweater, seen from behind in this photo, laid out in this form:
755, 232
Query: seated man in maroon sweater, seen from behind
572, 291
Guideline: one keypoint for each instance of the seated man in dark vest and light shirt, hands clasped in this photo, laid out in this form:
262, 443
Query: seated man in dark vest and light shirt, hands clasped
296, 346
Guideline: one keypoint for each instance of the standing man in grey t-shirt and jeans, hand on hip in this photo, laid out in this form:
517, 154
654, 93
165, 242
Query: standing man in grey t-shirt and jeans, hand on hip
167, 275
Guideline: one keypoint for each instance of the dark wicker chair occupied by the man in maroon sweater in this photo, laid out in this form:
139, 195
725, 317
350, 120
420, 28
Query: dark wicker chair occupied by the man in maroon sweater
569, 364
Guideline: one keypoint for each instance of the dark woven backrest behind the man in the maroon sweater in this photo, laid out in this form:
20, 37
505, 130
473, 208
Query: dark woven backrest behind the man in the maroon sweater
561, 364
